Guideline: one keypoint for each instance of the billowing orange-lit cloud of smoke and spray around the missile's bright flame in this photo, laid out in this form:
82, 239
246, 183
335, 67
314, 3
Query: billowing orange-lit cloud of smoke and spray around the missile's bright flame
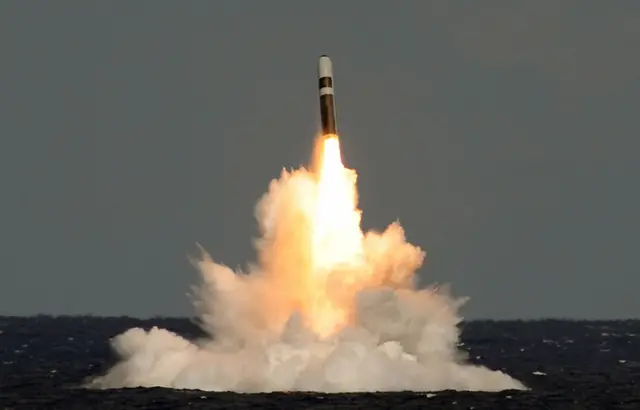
261, 329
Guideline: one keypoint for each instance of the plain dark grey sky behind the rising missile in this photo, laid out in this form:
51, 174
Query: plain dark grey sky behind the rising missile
503, 135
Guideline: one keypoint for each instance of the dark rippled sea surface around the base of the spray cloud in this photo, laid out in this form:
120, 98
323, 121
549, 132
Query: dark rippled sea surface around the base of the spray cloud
567, 365
